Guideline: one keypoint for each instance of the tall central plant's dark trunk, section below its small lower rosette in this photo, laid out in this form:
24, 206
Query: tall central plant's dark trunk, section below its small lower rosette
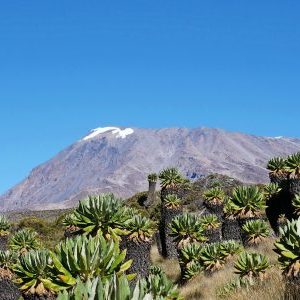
169, 247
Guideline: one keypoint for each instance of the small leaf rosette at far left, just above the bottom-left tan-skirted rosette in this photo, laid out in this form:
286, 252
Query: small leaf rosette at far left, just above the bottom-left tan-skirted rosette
24, 240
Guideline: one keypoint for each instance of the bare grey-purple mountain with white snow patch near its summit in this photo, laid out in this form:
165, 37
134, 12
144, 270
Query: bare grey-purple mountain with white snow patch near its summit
118, 160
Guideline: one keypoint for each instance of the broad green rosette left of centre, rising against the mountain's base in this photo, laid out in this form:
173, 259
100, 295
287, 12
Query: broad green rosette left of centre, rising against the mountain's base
104, 214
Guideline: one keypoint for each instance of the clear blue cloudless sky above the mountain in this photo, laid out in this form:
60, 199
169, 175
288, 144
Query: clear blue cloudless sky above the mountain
69, 66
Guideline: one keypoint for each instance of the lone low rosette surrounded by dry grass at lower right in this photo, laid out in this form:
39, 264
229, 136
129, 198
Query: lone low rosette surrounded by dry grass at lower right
252, 265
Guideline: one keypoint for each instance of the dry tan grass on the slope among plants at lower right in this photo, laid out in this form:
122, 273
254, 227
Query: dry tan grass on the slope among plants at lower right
205, 287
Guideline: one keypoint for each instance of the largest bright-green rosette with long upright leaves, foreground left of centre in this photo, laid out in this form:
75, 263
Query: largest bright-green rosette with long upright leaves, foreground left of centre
87, 257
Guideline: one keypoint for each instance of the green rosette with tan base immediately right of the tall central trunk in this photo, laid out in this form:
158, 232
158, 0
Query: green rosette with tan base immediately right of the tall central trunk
187, 228
